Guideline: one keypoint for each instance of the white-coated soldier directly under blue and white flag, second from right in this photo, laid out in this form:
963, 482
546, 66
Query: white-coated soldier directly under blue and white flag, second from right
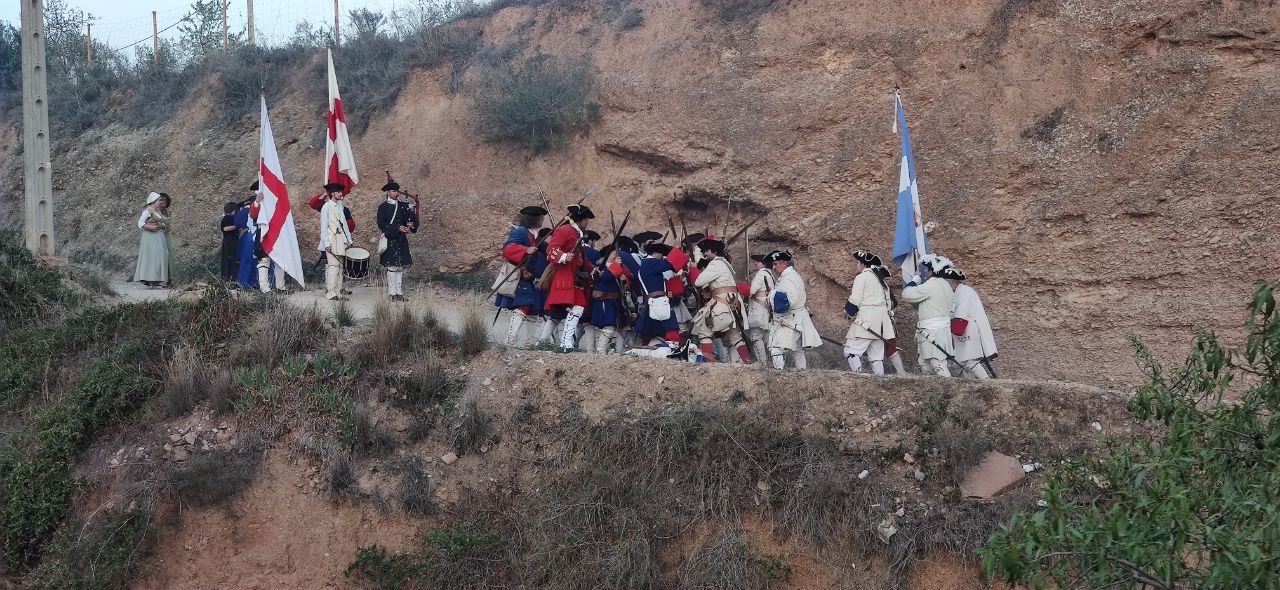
934, 300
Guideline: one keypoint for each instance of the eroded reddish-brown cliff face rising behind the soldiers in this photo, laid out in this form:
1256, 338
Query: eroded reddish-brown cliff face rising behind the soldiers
1096, 168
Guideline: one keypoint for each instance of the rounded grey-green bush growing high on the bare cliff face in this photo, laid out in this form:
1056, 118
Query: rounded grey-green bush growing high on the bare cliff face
534, 104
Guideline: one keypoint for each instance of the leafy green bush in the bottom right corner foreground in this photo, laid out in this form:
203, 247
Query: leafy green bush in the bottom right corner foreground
1192, 507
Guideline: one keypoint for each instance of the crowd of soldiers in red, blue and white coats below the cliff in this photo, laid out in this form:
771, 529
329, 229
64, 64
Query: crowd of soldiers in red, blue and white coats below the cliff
642, 296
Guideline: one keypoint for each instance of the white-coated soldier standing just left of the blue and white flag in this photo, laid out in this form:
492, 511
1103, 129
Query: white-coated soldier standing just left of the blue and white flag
868, 307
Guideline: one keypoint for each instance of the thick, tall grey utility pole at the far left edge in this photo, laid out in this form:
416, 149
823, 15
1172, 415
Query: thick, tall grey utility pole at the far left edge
39, 228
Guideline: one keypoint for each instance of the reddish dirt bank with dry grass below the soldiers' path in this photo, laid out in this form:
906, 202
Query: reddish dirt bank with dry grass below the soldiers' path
774, 456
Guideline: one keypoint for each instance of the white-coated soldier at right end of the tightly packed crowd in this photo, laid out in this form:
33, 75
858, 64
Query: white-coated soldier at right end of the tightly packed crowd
792, 330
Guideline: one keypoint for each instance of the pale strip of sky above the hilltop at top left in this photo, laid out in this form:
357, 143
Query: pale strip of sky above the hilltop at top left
124, 22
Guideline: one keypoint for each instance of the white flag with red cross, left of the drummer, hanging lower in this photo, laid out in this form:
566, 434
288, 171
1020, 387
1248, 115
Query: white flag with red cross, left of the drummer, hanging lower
281, 240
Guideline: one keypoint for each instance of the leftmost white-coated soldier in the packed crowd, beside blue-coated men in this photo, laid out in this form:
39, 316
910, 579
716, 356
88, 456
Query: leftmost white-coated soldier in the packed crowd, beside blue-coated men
723, 315
